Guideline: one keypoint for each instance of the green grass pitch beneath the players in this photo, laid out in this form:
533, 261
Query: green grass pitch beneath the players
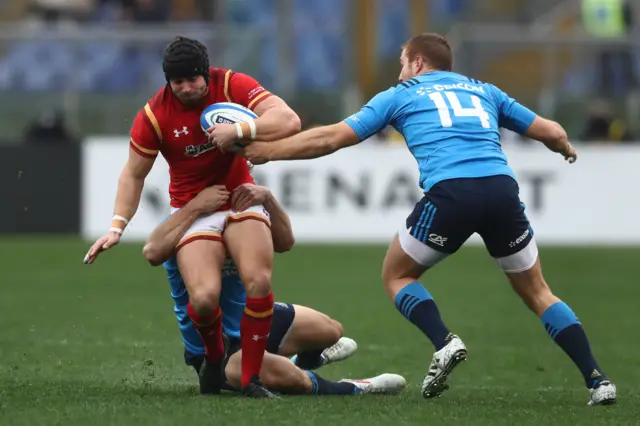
99, 344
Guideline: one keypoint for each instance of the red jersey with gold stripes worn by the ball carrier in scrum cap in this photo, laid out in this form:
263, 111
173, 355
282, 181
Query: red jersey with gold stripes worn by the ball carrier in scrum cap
165, 125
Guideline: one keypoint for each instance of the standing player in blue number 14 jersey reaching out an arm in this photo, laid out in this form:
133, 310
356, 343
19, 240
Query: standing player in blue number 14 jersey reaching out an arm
451, 125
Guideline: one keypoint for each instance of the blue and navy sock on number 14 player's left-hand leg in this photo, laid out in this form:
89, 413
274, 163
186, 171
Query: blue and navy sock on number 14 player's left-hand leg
416, 304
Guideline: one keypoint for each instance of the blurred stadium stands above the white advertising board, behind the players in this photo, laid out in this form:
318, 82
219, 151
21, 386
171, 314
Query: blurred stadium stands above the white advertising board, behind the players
98, 60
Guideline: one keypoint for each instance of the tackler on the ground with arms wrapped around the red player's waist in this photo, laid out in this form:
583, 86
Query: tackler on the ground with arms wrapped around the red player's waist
311, 338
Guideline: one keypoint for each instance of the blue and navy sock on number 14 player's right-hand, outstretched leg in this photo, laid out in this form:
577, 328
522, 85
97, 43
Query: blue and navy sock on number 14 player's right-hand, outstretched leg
565, 329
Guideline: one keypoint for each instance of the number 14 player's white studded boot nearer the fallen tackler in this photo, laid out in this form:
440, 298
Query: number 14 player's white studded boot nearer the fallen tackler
442, 364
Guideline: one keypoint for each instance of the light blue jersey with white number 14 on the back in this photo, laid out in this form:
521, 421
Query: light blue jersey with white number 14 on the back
451, 124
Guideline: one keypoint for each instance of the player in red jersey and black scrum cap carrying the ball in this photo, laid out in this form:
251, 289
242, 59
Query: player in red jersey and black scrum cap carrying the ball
170, 124
